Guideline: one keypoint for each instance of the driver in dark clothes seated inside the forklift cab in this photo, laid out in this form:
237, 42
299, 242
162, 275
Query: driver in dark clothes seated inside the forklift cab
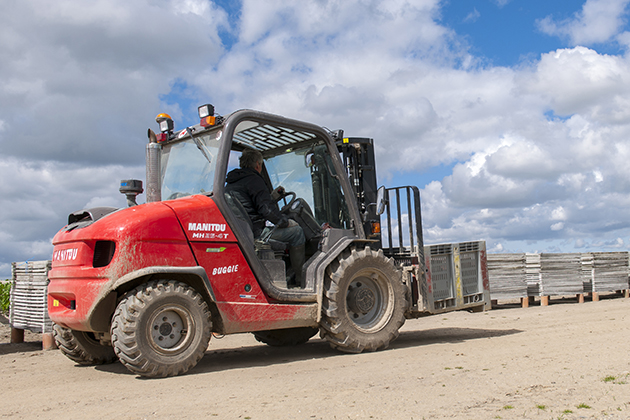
248, 186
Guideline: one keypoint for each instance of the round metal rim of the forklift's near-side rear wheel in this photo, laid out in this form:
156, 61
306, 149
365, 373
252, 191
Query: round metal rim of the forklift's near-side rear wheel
171, 329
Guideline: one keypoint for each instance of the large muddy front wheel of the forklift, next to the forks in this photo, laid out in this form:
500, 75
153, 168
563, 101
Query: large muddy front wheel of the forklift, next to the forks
364, 302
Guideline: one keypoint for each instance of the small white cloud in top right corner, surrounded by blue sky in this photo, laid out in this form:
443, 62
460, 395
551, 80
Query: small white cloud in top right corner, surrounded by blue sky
597, 22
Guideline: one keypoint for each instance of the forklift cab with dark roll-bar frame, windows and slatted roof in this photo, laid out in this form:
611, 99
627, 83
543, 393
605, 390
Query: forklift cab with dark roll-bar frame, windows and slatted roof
301, 157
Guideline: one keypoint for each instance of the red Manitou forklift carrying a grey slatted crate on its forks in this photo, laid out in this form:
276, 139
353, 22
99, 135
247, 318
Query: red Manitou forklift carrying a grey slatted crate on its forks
149, 284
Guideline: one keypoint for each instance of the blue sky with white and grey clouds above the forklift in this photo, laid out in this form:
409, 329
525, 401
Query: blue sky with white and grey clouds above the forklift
511, 116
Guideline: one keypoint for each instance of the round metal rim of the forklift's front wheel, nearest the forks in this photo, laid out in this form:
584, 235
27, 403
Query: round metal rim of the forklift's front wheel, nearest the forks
367, 300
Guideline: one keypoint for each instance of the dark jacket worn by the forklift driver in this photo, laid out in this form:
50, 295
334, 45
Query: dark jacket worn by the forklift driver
249, 187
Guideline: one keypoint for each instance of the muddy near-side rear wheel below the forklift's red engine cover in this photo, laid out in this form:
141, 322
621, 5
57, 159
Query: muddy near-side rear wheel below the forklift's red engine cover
161, 329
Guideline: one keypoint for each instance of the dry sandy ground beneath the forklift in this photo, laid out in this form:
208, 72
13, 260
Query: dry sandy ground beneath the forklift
563, 361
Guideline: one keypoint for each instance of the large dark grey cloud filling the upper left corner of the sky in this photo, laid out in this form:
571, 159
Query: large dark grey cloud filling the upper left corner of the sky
97, 70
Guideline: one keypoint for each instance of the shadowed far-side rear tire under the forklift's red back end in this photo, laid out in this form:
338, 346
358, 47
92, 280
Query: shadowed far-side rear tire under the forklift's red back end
82, 347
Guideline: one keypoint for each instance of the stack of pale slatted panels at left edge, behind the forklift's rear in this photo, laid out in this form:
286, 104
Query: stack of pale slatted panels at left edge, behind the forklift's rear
29, 307
